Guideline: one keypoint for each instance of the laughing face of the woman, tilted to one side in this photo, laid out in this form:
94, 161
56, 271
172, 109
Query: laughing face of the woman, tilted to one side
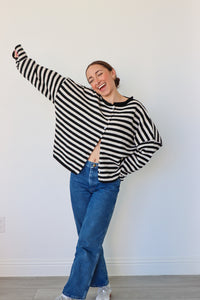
101, 80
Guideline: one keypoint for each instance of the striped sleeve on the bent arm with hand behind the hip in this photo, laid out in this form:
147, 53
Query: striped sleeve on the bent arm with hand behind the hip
147, 141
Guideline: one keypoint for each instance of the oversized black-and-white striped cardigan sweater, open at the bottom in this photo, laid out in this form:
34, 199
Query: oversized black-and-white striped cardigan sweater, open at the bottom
128, 136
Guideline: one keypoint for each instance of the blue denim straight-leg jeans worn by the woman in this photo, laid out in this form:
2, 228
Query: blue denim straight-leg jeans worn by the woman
93, 203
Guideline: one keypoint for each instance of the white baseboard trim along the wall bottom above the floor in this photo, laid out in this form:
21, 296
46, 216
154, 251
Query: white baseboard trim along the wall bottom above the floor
116, 267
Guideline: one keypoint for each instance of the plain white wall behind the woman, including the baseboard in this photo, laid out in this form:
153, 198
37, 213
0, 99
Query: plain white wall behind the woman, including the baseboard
154, 46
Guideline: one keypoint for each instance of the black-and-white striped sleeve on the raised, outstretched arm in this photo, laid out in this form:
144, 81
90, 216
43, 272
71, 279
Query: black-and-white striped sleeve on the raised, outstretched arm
45, 80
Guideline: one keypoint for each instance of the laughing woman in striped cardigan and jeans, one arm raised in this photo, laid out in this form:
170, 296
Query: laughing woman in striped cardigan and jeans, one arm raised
101, 137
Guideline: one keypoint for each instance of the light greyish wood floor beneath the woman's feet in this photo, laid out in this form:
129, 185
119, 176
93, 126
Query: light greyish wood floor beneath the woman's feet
124, 288
